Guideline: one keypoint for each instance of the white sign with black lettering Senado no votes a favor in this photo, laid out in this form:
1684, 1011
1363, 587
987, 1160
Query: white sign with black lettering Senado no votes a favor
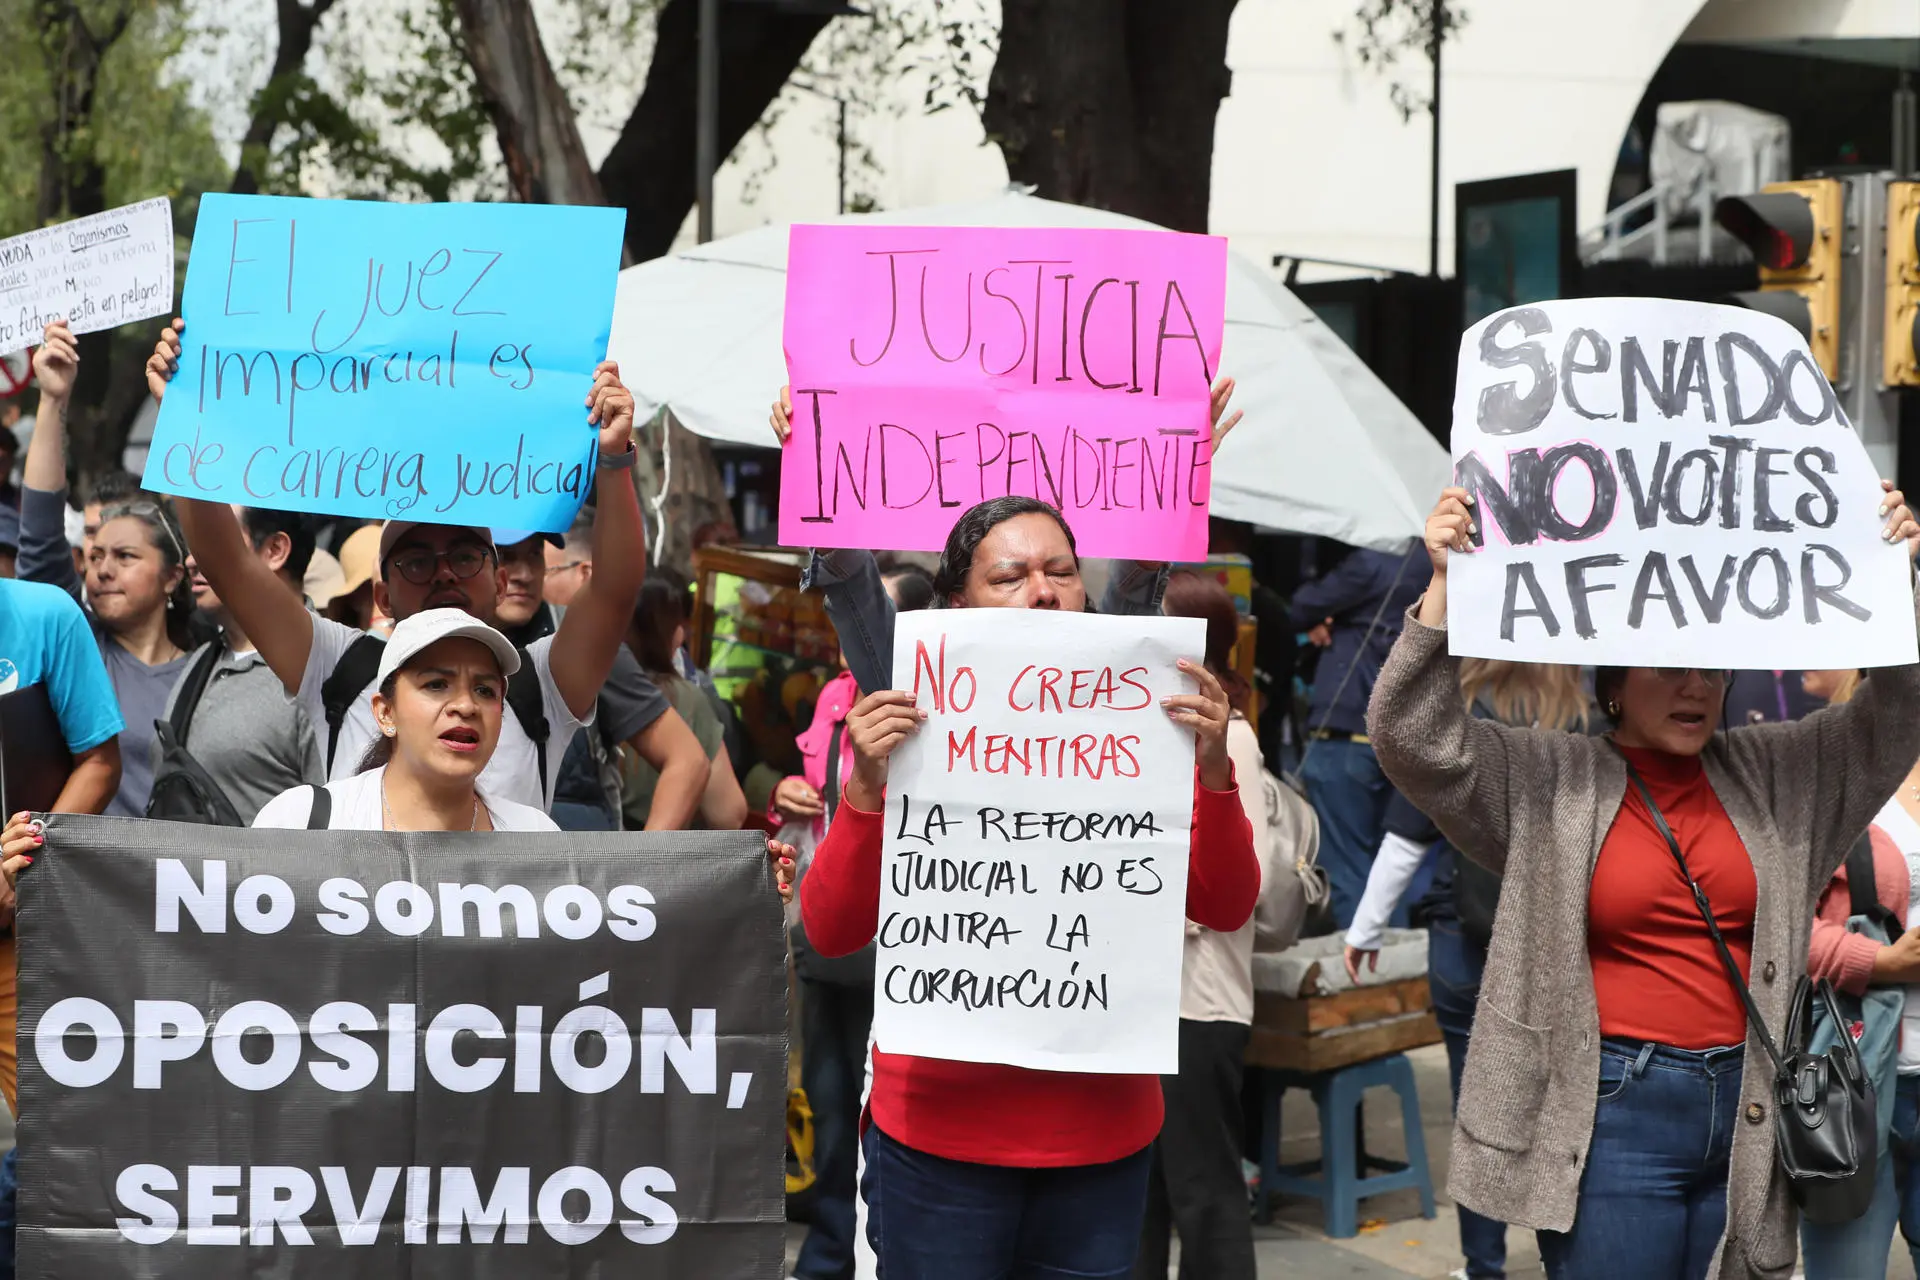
1666, 485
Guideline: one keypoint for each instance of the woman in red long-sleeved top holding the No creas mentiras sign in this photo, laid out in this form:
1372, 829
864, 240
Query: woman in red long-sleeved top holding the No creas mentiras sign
984, 1172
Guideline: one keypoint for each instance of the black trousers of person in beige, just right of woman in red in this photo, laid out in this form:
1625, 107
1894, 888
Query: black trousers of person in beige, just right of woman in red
1197, 1187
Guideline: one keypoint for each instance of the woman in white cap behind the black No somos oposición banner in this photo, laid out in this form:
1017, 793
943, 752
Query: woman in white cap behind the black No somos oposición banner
439, 705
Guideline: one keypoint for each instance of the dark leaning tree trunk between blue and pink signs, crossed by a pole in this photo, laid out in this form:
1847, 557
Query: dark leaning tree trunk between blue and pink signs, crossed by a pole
650, 170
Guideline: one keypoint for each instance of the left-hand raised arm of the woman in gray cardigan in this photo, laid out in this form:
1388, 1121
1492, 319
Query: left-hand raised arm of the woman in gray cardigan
1449, 765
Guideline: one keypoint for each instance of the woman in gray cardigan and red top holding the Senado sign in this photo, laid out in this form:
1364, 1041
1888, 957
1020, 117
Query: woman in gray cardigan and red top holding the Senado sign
1614, 1099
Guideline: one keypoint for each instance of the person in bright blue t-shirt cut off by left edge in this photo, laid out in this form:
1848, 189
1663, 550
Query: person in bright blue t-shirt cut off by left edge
45, 640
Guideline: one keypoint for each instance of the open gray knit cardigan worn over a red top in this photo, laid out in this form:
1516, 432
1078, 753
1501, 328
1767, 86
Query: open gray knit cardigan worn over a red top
1537, 805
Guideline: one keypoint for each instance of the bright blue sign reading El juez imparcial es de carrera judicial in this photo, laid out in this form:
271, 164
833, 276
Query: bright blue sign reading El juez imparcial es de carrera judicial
389, 360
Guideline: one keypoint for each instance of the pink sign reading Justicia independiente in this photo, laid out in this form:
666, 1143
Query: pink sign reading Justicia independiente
936, 367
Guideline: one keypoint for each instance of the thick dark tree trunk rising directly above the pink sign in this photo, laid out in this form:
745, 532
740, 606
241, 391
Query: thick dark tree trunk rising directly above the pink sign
1113, 103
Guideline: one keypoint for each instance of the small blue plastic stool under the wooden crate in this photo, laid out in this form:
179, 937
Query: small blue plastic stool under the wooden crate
1341, 1179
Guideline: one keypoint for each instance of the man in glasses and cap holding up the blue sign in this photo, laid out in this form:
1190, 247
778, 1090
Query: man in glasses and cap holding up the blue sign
331, 667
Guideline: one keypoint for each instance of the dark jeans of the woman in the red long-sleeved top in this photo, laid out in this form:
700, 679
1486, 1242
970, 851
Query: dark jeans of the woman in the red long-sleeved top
942, 1220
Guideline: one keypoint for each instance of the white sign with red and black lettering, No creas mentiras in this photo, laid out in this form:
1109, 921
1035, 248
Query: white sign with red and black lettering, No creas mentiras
1034, 889
